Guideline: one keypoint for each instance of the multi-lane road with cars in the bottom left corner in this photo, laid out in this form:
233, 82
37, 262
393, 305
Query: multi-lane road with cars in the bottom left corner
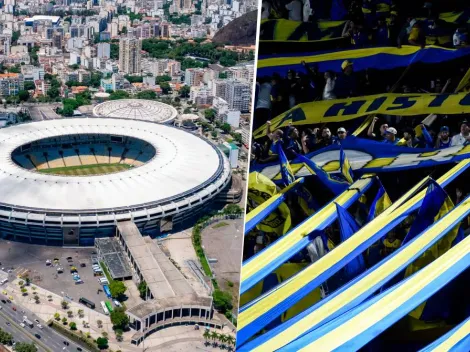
50, 340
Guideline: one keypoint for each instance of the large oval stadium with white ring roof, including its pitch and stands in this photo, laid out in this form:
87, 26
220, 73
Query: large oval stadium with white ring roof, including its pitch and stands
110, 169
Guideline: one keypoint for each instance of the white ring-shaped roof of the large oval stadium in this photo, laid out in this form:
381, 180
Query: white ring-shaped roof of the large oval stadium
184, 165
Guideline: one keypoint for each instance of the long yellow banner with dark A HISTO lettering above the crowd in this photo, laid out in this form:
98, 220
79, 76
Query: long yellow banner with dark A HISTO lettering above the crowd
325, 111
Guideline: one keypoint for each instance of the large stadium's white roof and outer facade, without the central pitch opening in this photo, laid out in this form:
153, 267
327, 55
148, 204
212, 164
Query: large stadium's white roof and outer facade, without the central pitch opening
184, 177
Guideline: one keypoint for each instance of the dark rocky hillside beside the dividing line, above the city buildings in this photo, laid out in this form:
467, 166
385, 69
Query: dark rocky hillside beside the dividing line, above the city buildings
241, 31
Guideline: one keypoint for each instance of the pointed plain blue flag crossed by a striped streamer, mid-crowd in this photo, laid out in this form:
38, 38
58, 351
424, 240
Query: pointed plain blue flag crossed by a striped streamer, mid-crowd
348, 226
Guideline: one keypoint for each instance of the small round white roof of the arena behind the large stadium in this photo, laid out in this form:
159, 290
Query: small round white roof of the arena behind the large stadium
136, 109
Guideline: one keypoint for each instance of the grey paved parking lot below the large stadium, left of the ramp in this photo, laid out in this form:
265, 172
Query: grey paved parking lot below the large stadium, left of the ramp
32, 259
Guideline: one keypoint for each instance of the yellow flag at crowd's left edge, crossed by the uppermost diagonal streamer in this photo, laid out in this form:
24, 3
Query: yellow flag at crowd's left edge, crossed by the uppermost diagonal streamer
260, 189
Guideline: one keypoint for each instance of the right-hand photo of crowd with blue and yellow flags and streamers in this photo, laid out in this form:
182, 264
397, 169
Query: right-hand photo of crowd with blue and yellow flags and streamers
357, 219
